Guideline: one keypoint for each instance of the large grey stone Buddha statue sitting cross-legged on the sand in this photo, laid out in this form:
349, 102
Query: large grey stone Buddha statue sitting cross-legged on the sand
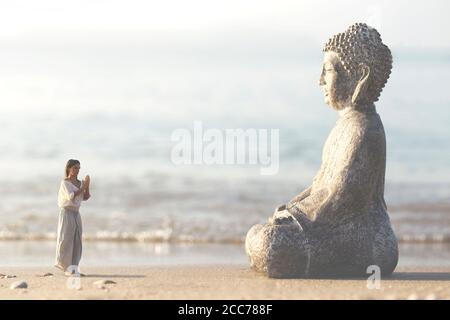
338, 226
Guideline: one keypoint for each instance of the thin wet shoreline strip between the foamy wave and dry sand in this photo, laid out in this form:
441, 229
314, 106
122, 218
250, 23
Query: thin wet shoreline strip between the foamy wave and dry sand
124, 254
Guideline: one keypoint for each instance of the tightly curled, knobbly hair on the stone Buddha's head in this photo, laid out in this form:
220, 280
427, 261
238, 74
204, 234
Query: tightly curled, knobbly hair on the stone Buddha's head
361, 43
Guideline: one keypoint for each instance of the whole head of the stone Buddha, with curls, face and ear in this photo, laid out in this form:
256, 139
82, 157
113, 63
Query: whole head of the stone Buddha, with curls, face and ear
355, 69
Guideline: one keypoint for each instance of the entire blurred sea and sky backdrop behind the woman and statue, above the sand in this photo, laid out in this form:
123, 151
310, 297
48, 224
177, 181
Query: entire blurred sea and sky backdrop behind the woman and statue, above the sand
107, 82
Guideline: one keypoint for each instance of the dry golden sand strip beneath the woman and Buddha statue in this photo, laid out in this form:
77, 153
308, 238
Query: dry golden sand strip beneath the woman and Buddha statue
217, 282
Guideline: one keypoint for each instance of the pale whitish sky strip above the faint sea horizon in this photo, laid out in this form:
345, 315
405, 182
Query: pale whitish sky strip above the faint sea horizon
402, 22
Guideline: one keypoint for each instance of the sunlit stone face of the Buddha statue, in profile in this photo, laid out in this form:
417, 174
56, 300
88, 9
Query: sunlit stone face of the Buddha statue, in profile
335, 82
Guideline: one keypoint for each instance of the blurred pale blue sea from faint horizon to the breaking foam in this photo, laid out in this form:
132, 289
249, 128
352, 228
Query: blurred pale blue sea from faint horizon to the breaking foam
116, 108
